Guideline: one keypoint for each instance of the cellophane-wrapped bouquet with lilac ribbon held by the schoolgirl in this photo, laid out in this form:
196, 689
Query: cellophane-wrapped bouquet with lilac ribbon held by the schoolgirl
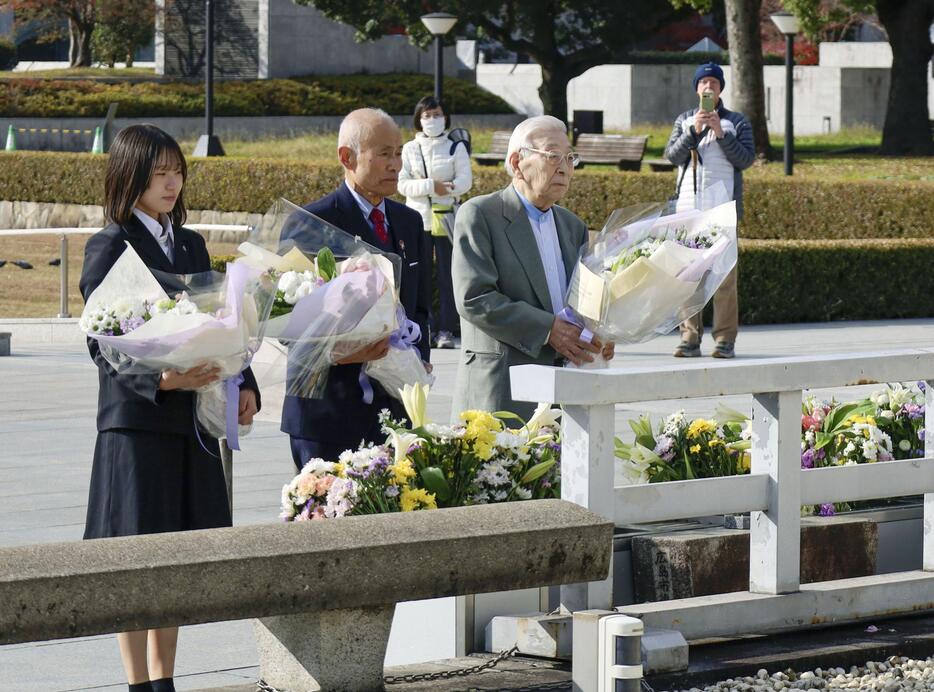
146, 321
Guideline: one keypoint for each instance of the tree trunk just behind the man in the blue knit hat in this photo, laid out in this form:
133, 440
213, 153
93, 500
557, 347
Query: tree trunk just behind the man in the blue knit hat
747, 90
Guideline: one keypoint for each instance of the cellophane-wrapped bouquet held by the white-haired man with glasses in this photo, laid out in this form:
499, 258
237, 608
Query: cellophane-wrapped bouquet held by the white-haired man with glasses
645, 273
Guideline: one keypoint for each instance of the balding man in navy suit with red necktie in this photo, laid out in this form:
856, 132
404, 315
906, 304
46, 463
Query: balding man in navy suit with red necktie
369, 146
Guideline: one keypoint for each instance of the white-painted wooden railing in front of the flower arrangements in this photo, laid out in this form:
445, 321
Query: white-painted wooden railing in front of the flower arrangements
775, 489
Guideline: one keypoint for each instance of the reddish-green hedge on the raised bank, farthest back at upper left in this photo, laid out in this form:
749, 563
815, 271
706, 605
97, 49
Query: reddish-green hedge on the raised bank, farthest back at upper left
395, 93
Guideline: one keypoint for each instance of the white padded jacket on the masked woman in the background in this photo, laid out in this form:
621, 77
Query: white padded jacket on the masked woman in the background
434, 155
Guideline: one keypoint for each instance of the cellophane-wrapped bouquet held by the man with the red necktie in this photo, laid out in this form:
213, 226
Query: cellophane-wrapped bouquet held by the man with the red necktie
334, 295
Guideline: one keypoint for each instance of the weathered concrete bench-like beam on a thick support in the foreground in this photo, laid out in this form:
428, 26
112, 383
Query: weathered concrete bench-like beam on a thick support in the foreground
324, 591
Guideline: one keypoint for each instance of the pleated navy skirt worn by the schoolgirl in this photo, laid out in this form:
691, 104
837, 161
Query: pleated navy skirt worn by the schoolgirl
148, 482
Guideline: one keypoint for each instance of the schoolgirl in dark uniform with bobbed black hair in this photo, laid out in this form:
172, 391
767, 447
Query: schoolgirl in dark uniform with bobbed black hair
151, 472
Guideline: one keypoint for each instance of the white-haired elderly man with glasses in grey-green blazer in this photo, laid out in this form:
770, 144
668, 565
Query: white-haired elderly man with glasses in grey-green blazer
514, 253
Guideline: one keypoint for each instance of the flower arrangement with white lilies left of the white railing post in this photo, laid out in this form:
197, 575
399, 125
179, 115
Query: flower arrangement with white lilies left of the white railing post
423, 465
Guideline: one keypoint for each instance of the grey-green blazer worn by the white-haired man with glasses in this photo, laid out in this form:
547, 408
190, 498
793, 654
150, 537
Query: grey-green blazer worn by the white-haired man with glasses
502, 296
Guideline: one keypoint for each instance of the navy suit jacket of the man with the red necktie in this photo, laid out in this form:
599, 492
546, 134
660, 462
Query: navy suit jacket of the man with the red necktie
341, 417
